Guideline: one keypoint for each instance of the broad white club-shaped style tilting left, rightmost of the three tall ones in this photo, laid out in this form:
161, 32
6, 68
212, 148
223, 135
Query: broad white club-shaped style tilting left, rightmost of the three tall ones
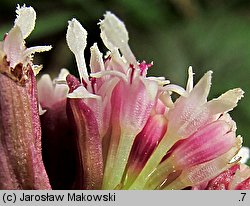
115, 35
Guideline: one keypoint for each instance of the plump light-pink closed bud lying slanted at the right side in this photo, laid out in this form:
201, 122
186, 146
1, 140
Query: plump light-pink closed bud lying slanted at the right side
207, 143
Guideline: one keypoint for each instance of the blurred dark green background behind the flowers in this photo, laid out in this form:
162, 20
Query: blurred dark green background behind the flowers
207, 34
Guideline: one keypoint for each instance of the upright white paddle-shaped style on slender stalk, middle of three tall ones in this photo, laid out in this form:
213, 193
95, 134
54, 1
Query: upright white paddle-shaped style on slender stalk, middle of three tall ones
77, 40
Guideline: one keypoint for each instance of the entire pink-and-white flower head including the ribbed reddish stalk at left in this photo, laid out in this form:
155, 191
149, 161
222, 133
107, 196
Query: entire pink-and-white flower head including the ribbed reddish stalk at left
114, 127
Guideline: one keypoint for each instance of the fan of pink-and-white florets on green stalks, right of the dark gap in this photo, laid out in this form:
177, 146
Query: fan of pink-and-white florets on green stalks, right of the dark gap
129, 133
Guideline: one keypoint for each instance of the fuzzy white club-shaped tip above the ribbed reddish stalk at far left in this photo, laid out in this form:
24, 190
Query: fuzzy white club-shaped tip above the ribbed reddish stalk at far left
25, 20
